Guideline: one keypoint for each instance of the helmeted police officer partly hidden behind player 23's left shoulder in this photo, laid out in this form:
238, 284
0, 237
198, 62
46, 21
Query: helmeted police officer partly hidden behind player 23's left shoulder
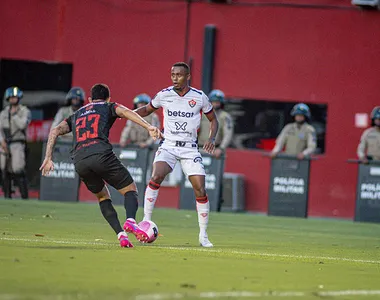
75, 98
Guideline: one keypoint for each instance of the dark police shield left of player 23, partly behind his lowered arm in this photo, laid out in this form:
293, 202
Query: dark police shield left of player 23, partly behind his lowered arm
62, 184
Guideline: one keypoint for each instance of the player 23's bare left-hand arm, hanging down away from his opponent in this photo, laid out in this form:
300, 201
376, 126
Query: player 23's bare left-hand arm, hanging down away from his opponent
61, 129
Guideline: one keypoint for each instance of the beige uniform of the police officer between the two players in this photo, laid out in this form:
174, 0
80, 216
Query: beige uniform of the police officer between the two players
136, 134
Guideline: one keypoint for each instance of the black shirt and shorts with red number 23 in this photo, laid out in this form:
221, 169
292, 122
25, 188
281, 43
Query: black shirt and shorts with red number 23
94, 160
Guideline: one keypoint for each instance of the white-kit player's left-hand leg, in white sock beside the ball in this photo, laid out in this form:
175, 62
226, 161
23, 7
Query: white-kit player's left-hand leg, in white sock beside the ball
163, 164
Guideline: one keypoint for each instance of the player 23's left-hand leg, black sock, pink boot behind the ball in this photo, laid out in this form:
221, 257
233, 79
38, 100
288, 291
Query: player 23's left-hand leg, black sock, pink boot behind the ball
96, 185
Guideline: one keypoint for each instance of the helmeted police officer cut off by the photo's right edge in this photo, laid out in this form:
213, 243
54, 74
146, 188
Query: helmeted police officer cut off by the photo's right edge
369, 146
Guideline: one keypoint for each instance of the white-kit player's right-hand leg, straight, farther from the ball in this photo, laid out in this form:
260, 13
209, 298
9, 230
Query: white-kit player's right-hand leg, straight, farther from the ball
193, 168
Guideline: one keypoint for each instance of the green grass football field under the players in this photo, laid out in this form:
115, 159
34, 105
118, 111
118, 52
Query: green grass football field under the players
258, 257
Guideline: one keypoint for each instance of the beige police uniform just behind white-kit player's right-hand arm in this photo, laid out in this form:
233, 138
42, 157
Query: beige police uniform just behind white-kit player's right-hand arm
225, 132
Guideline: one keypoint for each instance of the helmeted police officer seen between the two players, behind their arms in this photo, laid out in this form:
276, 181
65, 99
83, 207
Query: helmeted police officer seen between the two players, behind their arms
135, 134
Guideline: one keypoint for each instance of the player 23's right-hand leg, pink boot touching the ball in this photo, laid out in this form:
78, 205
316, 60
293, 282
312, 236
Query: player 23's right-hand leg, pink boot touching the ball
116, 174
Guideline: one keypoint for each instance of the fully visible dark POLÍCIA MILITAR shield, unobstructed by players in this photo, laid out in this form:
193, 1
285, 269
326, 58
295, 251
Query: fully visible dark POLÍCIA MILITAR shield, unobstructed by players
289, 185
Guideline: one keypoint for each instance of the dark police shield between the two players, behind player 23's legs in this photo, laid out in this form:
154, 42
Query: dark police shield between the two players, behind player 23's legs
136, 161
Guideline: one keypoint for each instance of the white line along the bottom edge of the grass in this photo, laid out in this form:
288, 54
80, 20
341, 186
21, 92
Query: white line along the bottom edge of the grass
257, 294
